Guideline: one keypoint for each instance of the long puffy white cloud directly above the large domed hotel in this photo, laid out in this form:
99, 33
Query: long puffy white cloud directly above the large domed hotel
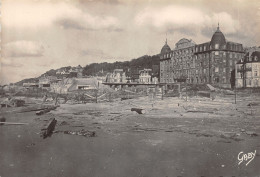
187, 20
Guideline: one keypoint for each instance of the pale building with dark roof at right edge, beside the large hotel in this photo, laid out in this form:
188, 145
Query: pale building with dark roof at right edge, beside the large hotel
248, 70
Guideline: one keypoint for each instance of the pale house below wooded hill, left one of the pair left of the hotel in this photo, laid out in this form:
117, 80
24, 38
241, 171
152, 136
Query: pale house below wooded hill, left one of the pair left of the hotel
118, 76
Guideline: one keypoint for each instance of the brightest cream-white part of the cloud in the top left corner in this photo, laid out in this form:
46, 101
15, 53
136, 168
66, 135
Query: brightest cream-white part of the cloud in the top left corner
34, 14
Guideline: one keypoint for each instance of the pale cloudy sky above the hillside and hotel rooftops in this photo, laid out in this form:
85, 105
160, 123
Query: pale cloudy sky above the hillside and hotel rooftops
39, 35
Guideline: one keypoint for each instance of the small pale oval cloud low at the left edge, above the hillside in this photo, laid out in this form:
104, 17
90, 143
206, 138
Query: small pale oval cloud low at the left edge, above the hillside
23, 49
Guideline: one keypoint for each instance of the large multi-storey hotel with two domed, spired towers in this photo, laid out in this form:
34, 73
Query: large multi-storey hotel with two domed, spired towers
211, 62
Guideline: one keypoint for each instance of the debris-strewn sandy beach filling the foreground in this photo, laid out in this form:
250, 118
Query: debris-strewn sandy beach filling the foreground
173, 138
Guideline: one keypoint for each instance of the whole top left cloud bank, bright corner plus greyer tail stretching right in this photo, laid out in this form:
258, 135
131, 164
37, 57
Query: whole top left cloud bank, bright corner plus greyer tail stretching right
43, 14
